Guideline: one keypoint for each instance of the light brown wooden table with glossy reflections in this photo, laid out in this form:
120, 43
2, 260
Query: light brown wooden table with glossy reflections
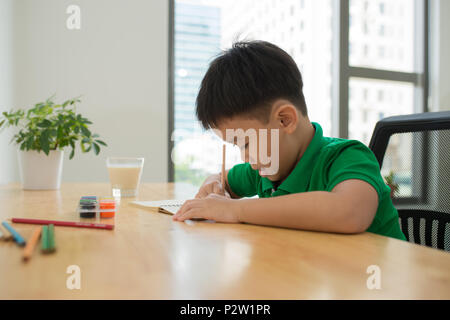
148, 256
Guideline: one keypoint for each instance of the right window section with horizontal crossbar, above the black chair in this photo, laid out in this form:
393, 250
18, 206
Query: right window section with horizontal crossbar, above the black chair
385, 73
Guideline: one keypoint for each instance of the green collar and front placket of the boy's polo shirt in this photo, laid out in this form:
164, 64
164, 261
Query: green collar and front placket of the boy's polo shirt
298, 179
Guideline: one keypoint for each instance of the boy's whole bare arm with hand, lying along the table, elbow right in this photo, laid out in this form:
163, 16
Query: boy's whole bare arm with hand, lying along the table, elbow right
349, 208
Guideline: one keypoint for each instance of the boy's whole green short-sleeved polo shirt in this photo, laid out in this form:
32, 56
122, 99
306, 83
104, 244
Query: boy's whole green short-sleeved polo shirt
325, 163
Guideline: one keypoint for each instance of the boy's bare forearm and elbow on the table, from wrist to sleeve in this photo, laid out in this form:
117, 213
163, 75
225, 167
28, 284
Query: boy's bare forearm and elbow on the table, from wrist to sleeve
349, 208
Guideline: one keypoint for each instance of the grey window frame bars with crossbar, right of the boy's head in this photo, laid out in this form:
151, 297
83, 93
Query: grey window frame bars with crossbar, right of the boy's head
343, 71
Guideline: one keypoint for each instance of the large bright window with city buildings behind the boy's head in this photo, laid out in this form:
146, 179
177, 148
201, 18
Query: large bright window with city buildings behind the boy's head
387, 62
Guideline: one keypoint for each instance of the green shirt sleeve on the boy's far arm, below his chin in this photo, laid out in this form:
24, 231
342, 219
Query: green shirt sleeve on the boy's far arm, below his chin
243, 180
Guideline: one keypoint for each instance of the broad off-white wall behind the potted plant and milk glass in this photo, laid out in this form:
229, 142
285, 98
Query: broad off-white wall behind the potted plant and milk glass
117, 61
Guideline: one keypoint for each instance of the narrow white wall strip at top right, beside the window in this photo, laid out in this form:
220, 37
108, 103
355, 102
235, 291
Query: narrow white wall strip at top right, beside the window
440, 55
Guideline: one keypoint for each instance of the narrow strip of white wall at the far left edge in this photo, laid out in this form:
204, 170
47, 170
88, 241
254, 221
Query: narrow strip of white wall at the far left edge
8, 163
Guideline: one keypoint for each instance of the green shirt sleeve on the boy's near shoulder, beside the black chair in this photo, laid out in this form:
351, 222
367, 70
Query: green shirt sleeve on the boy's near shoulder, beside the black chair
355, 161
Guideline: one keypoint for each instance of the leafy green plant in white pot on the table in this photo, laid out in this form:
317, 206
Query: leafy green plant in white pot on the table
44, 131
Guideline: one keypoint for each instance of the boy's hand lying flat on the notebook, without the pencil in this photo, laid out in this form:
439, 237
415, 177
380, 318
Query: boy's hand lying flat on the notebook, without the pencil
213, 207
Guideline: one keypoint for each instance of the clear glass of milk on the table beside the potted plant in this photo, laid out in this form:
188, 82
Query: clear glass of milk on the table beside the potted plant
124, 175
